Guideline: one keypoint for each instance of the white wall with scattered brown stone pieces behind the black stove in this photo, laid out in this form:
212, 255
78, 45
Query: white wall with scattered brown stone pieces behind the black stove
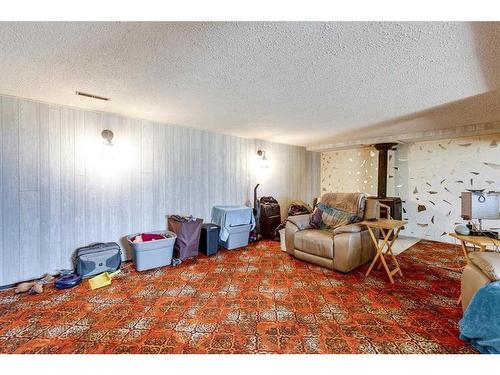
428, 176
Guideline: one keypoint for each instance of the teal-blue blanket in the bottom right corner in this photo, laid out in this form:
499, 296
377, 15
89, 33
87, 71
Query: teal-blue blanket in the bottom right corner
480, 324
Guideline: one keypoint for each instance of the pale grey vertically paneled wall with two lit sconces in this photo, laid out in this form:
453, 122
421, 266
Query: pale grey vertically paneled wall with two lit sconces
59, 189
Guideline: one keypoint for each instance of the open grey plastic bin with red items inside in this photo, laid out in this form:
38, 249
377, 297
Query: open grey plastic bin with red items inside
152, 254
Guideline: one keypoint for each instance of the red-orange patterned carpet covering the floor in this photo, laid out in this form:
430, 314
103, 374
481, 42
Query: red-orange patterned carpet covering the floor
255, 300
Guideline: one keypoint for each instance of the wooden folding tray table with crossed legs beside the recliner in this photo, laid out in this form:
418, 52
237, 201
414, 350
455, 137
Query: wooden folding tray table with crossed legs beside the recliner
387, 227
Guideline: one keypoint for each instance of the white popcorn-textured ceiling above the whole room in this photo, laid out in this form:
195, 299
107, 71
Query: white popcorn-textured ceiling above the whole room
302, 83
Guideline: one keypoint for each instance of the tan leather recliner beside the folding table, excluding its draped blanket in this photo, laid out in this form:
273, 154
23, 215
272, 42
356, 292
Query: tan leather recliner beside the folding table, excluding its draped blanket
347, 248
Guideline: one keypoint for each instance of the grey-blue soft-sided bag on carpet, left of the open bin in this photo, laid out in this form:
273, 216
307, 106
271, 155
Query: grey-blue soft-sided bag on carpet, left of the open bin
97, 258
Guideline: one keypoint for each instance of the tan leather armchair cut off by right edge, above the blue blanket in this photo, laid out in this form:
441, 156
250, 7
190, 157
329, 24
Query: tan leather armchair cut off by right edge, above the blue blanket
482, 268
